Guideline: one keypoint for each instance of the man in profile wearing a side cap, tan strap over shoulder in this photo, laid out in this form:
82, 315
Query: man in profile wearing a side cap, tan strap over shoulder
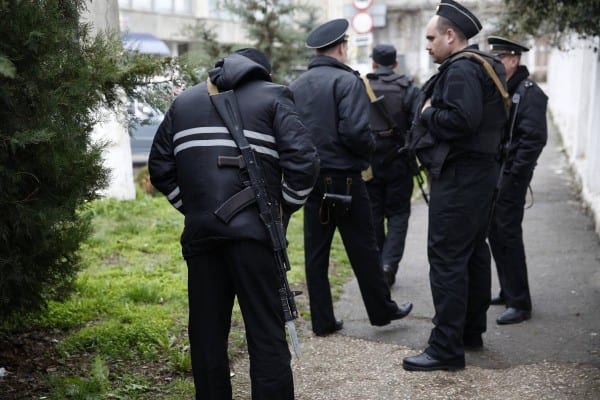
457, 135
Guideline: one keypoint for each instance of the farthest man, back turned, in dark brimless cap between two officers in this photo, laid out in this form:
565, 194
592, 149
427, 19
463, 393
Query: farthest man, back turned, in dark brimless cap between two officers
391, 186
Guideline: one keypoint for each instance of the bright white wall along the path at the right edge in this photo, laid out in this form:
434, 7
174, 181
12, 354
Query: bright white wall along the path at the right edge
573, 89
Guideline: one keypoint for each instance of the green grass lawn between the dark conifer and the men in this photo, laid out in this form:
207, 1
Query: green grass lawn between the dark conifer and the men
123, 333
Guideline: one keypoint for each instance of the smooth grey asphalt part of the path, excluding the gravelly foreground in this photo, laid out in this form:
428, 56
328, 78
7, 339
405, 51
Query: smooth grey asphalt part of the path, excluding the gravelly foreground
563, 254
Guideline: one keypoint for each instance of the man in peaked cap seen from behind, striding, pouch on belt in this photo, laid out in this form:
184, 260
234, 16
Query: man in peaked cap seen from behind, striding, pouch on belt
333, 104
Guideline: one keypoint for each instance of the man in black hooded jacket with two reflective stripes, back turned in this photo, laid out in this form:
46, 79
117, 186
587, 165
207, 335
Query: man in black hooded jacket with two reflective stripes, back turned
235, 258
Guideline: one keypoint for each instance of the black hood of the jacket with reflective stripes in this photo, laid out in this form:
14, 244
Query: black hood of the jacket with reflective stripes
236, 70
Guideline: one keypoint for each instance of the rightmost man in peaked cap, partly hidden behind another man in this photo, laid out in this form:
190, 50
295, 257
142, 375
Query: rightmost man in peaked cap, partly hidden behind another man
528, 138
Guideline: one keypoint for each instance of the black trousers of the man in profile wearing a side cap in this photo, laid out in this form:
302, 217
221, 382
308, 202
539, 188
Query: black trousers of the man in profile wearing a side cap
459, 257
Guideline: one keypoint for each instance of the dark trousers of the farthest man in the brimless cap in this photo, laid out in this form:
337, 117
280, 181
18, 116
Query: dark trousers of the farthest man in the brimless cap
390, 192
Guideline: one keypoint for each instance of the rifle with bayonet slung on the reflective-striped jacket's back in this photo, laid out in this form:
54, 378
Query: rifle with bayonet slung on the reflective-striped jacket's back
227, 107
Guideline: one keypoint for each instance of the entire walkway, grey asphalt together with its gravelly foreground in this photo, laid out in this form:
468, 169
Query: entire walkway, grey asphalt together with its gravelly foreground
553, 356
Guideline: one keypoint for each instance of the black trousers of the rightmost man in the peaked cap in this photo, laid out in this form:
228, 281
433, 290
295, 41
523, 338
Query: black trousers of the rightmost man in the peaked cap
506, 241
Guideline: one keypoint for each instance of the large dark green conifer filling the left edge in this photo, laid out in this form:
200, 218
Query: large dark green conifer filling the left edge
53, 77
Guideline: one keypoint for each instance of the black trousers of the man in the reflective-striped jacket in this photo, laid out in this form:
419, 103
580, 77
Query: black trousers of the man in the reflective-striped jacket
246, 269
